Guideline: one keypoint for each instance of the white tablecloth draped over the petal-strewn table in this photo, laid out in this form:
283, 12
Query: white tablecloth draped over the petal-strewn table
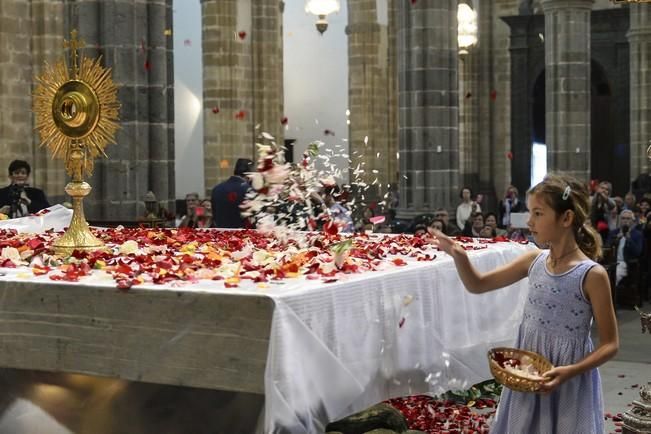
337, 348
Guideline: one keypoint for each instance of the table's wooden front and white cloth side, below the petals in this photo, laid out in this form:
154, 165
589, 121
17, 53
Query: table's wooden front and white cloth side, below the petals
317, 348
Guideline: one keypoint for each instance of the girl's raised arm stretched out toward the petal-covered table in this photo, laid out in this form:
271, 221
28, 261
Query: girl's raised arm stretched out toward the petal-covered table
477, 282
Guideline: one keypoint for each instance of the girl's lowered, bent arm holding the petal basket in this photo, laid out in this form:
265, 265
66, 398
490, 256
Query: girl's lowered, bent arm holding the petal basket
597, 289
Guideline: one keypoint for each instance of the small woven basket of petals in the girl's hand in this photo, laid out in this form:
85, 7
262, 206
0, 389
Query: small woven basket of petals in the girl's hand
519, 370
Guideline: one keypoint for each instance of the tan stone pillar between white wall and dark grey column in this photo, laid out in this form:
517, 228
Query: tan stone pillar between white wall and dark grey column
372, 94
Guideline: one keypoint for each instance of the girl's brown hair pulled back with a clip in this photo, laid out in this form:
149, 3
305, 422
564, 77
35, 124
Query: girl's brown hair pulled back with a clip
554, 191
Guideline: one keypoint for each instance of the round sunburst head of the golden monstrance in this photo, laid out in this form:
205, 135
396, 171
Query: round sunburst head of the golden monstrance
66, 124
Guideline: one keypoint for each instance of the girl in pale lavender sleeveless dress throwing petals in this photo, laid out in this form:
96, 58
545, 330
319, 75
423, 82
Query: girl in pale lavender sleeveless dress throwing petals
567, 289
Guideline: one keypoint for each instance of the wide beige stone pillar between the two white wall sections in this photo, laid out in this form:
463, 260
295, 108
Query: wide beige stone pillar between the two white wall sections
243, 80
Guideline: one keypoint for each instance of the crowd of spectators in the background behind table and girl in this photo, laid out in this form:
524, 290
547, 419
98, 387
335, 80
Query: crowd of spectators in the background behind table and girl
624, 223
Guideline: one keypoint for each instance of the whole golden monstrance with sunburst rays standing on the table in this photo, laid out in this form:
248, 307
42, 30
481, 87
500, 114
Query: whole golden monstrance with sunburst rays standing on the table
76, 110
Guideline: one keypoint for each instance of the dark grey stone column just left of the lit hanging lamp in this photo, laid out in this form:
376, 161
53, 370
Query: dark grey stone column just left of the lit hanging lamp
428, 106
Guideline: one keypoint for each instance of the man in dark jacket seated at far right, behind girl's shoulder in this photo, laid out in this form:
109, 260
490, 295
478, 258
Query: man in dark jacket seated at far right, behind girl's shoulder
629, 241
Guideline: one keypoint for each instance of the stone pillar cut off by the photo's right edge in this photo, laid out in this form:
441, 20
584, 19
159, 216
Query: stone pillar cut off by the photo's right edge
639, 38
